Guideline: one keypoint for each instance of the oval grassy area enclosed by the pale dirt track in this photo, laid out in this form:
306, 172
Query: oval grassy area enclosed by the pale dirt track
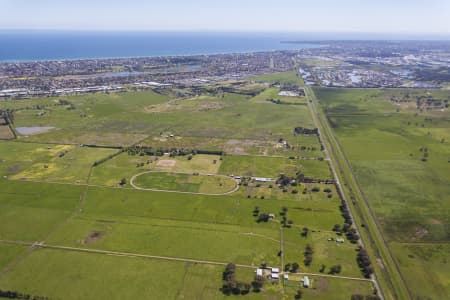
184, 182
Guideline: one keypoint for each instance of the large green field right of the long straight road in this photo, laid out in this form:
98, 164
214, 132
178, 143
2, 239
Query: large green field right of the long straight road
399, 155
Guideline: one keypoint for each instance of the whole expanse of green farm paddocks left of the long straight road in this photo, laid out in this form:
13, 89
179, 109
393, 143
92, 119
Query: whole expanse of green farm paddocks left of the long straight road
61, 191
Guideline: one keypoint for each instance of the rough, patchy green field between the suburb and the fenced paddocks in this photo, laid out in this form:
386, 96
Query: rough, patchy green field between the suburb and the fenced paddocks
135, 115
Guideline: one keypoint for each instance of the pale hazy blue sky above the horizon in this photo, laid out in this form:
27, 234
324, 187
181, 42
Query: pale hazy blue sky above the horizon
382, 16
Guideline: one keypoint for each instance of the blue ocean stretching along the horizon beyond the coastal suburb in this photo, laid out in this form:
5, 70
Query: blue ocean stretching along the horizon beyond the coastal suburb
27, 45
